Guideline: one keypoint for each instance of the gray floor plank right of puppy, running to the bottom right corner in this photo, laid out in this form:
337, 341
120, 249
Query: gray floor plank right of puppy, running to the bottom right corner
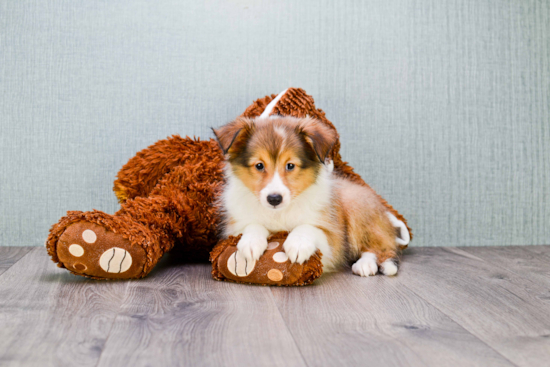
509, 313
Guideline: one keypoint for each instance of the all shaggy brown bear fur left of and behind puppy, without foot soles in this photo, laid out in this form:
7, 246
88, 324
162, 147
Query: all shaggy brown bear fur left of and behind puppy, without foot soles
167, 191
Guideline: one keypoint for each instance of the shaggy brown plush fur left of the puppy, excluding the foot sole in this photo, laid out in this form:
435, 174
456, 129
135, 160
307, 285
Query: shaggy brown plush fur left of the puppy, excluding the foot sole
176, 210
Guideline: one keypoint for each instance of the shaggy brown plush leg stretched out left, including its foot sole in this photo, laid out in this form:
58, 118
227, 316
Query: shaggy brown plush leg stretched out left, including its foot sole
129, 243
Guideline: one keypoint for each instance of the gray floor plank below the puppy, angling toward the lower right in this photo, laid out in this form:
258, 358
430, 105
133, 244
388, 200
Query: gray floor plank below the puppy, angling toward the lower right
346, 320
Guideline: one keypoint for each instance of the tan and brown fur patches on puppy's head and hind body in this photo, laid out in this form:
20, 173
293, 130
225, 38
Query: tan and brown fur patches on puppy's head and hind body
355, 220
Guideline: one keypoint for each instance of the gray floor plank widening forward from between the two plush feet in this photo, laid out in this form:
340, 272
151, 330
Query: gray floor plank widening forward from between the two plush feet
182, 317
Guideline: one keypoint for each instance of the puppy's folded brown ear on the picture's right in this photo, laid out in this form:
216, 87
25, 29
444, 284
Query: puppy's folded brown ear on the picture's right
321, 137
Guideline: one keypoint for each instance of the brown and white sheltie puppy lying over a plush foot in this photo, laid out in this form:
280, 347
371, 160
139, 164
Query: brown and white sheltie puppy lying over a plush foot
278, 178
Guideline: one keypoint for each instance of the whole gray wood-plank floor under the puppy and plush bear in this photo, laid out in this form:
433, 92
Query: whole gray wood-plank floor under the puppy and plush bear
447, 307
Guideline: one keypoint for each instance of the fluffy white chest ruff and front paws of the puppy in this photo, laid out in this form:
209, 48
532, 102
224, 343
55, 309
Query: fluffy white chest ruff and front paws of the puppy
299, 216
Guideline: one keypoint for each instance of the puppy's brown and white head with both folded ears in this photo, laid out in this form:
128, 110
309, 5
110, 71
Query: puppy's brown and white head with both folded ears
276, 158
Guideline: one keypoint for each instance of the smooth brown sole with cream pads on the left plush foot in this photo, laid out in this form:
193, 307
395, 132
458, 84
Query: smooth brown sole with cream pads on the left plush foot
94, 251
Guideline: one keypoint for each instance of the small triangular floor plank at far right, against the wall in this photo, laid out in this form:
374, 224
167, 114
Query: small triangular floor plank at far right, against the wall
519, 260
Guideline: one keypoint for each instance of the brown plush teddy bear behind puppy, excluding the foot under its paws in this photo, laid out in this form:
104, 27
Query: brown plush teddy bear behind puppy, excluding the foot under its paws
167, 194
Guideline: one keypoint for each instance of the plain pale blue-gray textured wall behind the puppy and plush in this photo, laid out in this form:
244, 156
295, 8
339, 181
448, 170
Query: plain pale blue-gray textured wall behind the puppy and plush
443, 106
